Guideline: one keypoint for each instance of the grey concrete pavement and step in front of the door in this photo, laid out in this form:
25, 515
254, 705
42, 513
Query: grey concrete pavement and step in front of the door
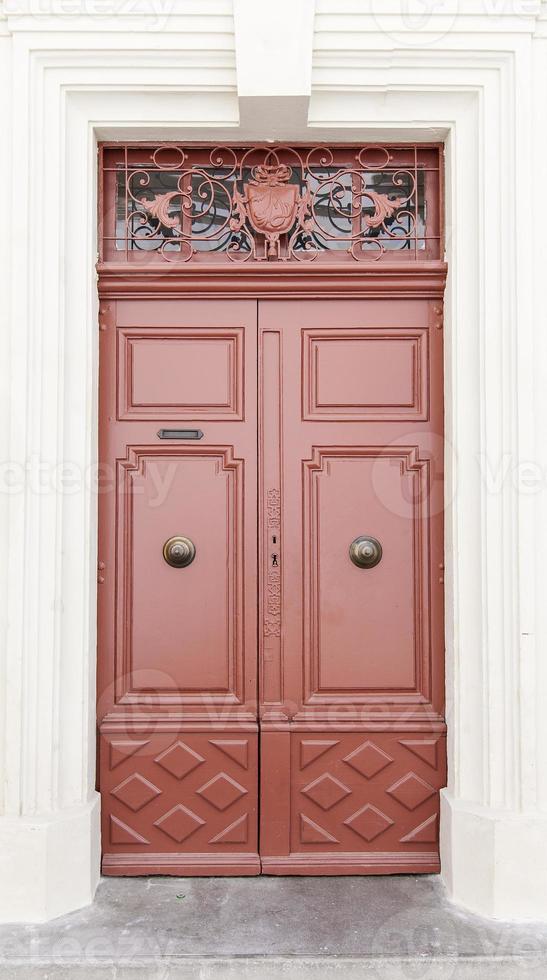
390, 928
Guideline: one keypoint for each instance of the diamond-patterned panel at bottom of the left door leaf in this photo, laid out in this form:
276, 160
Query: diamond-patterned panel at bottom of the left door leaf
170, 793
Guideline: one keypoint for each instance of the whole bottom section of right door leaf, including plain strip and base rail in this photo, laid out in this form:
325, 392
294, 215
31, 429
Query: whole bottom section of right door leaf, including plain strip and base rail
358, 803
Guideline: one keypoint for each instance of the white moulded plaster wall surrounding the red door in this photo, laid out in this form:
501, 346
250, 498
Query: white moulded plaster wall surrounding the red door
472, 73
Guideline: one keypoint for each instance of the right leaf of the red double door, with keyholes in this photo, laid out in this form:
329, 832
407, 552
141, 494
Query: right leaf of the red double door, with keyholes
353, 731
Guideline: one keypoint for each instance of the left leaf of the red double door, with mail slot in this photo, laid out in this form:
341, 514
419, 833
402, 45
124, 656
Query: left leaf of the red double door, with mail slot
178, 660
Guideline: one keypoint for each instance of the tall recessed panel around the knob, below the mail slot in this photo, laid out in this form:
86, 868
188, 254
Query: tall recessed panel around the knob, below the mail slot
179, 631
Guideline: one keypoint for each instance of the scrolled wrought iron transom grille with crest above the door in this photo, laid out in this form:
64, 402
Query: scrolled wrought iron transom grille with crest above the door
270, 203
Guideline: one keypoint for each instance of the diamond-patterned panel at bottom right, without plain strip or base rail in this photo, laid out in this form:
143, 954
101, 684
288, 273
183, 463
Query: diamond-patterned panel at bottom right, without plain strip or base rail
367, 792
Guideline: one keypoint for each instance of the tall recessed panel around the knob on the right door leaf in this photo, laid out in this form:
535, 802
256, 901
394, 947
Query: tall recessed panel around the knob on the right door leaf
361, 625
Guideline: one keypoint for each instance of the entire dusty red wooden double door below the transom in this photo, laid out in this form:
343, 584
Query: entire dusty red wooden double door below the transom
270, 685
